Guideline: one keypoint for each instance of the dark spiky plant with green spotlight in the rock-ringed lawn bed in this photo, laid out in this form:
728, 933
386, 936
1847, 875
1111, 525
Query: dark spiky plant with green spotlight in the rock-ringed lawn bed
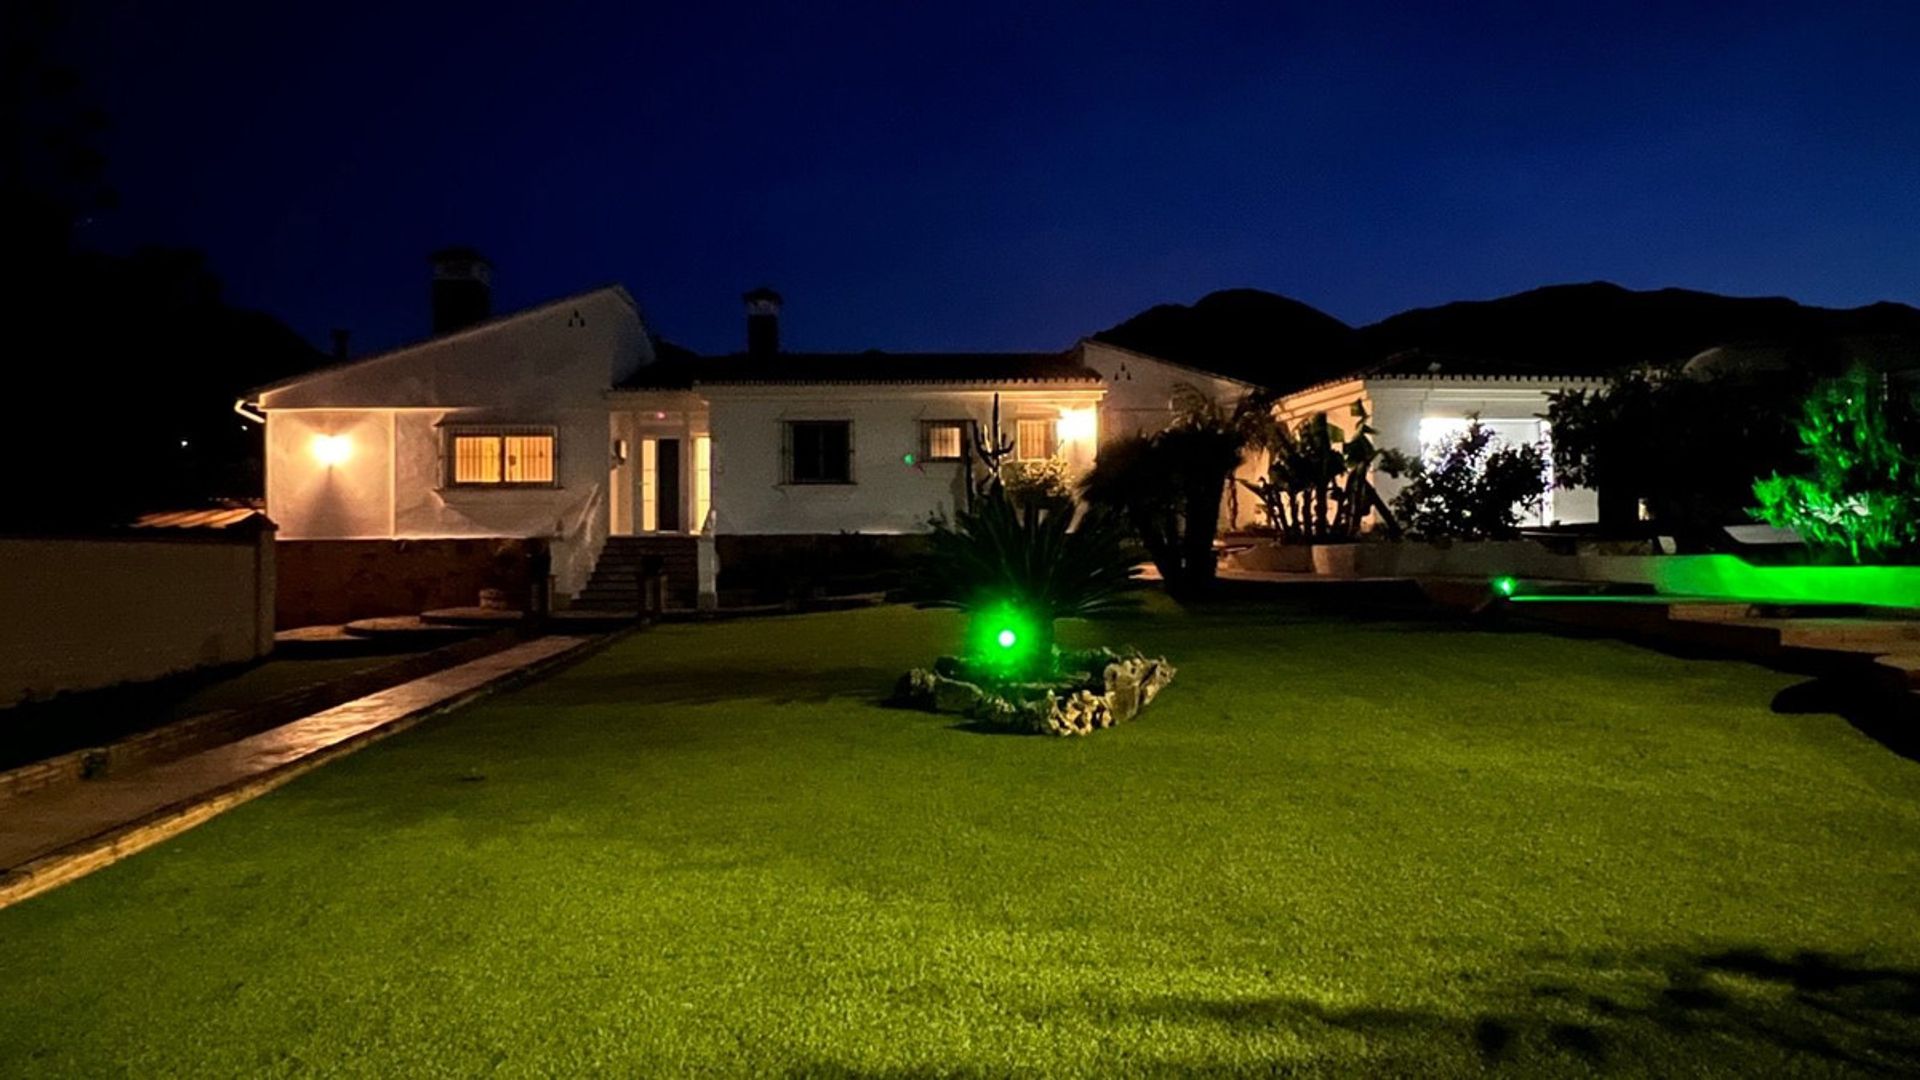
1019, 572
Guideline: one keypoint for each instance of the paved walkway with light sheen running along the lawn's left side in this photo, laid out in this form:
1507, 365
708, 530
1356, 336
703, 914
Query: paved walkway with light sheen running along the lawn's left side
60, 835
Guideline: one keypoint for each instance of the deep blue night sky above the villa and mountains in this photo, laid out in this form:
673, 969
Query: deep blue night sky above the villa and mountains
972, 176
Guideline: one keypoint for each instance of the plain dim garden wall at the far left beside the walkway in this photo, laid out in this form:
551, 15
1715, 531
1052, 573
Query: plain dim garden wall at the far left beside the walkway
87, 612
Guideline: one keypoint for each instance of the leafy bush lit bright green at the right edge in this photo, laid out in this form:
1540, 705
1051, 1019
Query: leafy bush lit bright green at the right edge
1861, 495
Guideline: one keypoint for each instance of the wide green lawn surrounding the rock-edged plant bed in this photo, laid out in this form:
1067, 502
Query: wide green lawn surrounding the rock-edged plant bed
1332, 847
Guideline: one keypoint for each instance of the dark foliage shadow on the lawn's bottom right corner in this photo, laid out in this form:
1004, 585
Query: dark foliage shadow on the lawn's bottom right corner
1733, 1010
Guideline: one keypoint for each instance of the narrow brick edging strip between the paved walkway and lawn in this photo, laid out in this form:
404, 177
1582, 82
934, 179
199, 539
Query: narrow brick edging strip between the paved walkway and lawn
107, 848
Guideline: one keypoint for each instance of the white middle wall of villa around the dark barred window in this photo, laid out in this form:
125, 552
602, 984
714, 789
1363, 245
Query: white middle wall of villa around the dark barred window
888, 495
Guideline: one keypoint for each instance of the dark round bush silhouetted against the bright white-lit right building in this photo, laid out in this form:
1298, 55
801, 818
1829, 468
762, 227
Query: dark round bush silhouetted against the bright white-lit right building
1474, 489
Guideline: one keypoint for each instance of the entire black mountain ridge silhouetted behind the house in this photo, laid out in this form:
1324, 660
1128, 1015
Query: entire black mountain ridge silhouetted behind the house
1562, 330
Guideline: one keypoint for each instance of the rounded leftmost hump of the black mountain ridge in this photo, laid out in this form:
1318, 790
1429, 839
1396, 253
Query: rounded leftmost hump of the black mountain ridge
1243, 333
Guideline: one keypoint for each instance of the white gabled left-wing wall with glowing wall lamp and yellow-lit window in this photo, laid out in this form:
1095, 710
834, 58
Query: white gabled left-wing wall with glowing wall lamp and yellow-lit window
548, 366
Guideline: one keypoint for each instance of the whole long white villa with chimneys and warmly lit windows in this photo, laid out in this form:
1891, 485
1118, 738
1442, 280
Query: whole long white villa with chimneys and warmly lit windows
564, 424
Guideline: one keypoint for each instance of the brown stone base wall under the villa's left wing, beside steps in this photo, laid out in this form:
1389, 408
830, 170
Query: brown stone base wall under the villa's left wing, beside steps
339, 581
